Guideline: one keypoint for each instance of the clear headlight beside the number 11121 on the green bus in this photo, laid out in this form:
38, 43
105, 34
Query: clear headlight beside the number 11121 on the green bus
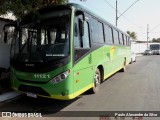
60, 77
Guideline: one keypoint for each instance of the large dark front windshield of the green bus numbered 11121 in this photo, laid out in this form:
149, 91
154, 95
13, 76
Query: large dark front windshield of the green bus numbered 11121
43, 41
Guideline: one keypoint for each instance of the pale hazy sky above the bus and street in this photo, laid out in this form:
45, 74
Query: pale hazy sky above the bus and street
135, 19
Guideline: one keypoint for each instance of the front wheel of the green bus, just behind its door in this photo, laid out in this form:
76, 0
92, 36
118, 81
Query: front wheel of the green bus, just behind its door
97, 81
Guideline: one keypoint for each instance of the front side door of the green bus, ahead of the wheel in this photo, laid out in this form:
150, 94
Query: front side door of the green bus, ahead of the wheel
83, 71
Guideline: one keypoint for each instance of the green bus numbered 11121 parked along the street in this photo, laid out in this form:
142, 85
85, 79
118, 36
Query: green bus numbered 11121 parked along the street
62, 51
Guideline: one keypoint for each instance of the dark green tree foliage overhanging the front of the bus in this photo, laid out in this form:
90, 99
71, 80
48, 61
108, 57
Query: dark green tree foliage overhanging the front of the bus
20, 7
